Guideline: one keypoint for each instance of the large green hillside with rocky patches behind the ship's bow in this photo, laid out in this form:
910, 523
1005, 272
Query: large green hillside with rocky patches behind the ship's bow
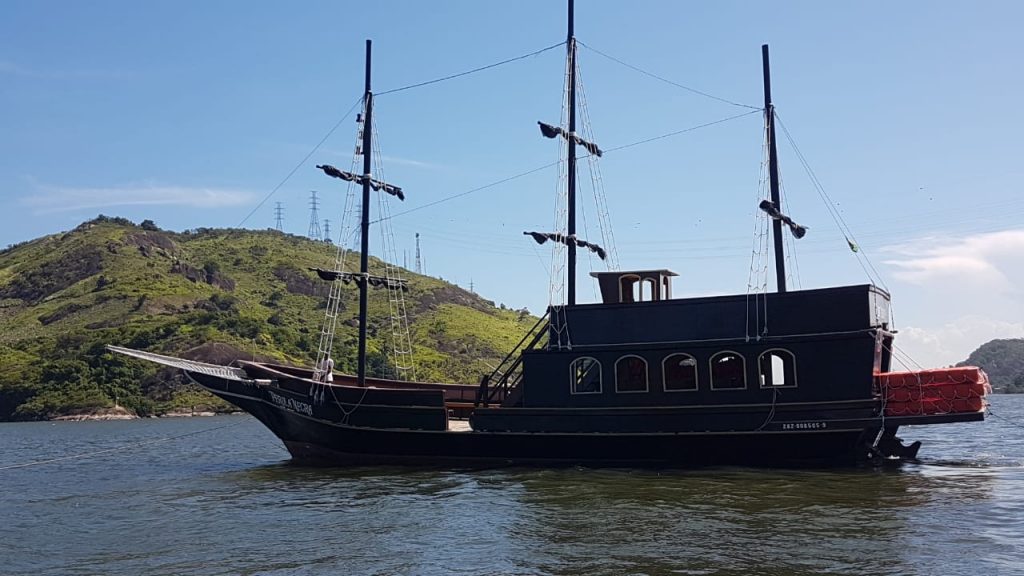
207, 295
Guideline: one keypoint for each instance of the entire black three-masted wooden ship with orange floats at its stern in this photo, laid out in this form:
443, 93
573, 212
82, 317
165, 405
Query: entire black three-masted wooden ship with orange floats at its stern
638, 379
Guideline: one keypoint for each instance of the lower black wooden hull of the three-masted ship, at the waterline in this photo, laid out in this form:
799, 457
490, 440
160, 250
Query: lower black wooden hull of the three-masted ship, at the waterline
320, 431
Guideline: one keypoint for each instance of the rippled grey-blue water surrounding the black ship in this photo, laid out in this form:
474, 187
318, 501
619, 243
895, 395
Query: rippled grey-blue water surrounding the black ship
225, 501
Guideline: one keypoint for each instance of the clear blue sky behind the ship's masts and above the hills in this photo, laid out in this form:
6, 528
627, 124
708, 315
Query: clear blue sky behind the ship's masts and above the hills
190, 114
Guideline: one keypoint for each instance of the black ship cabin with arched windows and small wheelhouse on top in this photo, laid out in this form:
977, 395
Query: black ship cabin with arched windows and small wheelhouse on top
641, 348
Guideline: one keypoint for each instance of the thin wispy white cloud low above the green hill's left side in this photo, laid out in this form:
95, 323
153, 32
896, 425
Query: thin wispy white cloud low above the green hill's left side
62, 199
